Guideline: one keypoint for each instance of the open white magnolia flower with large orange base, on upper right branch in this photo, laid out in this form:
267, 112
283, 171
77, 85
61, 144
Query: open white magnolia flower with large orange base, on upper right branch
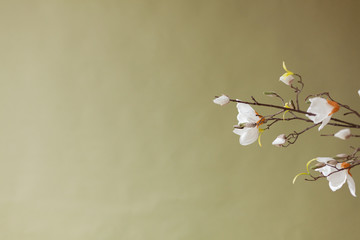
323, 110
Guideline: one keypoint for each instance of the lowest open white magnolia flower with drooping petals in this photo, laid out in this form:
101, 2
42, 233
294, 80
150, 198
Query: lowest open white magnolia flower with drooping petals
337, 179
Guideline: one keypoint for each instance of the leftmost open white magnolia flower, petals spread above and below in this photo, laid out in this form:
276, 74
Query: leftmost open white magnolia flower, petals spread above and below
251, 122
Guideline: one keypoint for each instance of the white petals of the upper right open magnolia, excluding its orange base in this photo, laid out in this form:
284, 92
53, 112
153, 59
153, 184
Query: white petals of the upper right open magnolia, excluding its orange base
320, 107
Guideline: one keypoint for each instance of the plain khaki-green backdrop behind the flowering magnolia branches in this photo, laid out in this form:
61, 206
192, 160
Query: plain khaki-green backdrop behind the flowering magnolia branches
109, 130
